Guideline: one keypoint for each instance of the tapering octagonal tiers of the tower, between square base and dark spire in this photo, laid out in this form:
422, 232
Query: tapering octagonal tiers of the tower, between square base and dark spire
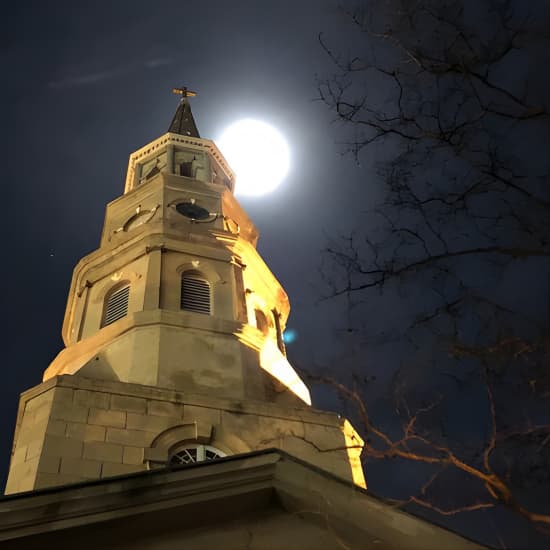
177, 295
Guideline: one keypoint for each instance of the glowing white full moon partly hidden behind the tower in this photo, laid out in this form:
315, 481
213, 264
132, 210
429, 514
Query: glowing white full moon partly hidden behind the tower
258, 153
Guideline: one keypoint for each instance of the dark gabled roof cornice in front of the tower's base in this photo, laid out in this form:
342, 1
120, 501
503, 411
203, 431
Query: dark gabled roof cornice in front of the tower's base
250, 479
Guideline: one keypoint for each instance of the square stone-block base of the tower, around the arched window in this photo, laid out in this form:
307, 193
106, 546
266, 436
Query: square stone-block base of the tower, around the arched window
73, 429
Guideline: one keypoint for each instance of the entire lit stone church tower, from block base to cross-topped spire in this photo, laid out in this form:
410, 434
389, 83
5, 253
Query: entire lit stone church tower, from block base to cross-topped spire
173, 338
